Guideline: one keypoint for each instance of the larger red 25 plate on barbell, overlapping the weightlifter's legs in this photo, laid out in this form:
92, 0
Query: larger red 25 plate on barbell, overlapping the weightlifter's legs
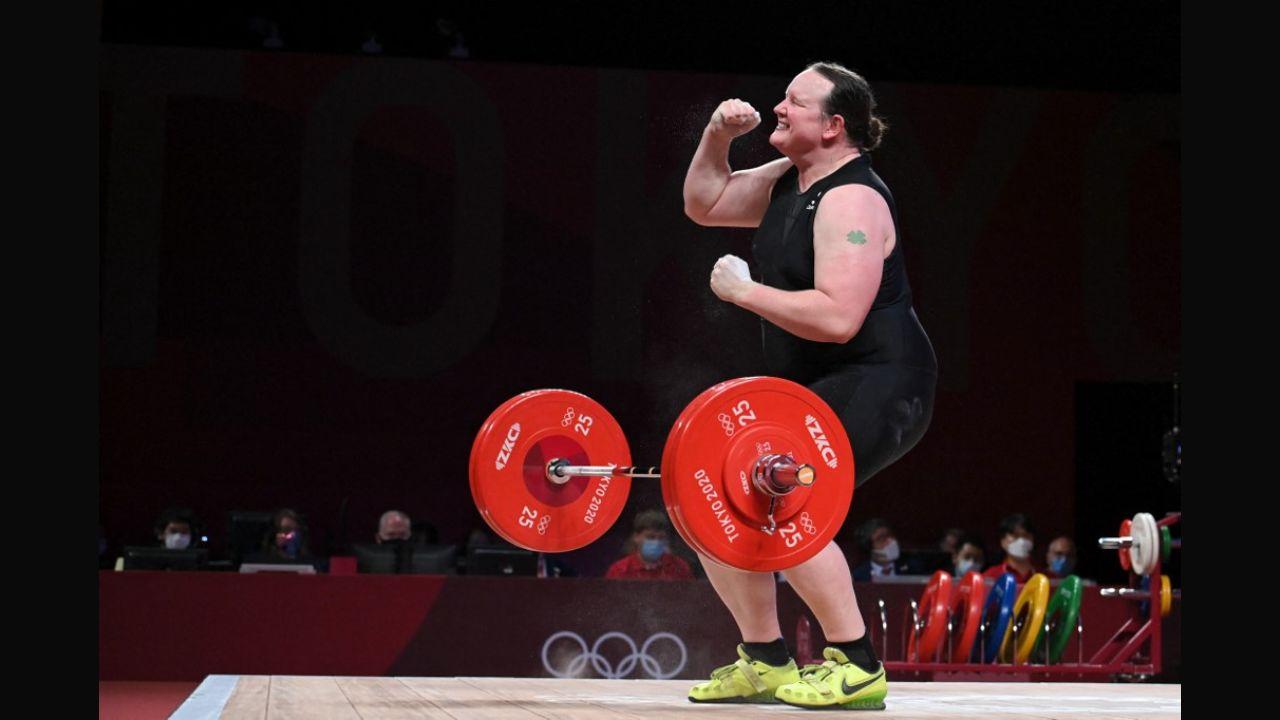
701, 472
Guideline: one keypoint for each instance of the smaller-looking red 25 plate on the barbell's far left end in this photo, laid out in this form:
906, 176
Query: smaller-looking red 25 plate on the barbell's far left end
509, 471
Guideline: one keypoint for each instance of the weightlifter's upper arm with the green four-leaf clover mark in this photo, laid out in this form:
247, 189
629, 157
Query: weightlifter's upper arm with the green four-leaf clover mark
849, 236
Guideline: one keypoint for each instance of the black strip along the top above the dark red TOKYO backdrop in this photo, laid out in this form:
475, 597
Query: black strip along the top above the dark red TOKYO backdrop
1119, 47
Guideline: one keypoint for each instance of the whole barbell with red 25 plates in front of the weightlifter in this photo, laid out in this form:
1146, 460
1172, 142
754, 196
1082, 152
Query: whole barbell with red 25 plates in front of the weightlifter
757, 473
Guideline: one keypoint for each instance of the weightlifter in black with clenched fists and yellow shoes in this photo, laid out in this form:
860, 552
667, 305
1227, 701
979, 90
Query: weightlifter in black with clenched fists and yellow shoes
836, 313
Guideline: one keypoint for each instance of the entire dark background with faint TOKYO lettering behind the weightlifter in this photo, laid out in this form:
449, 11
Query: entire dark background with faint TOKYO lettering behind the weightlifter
322, 270
